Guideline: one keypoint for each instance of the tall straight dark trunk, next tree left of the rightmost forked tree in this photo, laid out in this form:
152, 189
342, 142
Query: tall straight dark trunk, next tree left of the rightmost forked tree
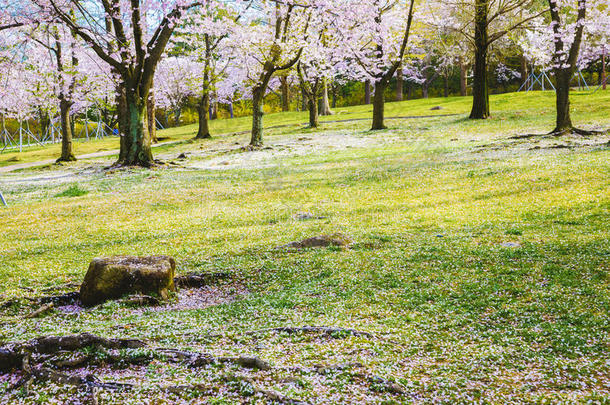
480, 92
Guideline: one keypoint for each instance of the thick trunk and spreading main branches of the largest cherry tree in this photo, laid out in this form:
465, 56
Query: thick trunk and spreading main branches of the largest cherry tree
131, 37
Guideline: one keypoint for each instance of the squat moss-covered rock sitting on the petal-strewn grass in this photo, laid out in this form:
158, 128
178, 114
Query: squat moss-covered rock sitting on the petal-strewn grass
114, 277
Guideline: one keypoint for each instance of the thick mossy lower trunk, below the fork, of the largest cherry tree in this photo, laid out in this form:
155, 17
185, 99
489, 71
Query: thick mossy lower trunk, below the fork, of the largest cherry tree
135, 145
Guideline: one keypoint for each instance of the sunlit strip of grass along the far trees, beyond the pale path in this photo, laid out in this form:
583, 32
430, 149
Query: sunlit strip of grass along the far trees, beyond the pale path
536, 107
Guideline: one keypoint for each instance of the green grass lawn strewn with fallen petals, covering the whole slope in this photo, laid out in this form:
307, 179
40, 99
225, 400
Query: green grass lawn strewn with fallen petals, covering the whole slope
480, 263
